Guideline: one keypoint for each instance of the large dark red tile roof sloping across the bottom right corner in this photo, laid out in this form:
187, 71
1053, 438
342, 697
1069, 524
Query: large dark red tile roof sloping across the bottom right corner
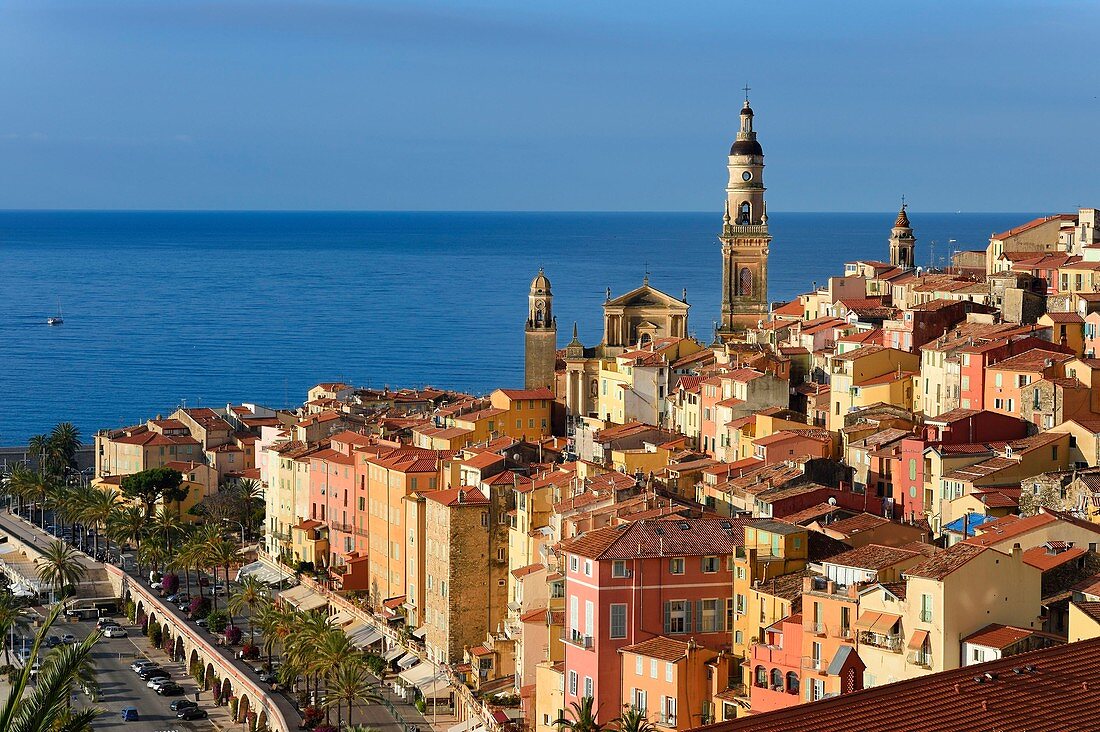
1065, 679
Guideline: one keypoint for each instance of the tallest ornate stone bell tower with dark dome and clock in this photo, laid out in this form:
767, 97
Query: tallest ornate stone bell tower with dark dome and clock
745, 236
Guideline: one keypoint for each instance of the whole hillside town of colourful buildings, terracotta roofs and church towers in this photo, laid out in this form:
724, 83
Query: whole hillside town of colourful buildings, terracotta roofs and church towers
826, 515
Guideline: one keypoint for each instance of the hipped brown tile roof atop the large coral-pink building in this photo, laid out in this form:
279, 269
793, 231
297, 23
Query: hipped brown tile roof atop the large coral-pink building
661, 539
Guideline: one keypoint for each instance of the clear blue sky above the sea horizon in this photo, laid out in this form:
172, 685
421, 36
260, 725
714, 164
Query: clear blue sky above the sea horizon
545, 106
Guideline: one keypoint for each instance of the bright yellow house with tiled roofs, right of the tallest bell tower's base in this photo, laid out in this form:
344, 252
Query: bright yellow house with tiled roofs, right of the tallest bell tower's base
867, 376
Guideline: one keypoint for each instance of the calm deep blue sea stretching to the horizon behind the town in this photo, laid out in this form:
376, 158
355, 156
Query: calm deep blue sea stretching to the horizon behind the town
166, 309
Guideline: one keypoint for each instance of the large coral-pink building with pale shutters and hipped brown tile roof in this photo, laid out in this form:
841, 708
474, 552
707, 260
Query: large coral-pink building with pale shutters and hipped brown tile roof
629, 584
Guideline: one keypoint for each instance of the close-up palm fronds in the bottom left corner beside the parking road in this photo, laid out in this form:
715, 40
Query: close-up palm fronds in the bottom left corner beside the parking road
45, 709
